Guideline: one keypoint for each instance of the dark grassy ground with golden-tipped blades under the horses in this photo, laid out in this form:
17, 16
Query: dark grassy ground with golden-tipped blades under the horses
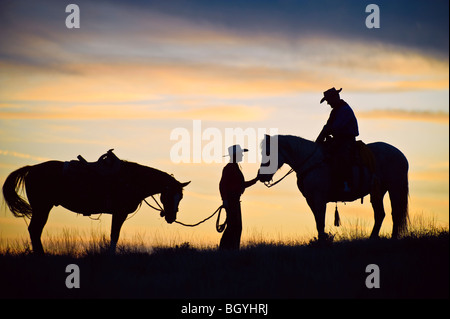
415, 266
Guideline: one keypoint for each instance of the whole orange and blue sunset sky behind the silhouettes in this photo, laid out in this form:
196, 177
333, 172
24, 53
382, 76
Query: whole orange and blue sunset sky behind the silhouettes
137, 70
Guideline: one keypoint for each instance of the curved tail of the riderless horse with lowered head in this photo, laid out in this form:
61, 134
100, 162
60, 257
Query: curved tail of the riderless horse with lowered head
18, 205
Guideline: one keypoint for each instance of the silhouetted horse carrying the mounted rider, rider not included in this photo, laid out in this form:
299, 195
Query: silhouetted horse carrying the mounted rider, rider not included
314, 179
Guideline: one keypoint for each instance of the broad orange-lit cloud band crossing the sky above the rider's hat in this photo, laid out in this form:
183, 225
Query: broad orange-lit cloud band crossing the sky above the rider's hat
235, 66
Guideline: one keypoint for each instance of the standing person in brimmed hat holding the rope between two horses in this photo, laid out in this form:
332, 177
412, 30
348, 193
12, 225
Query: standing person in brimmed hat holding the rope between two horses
232, 185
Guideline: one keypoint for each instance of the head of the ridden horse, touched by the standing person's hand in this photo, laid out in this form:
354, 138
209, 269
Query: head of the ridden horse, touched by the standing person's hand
271, 159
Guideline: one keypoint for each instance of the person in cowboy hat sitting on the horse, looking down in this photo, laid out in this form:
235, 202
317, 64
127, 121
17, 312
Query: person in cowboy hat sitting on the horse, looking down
339, 132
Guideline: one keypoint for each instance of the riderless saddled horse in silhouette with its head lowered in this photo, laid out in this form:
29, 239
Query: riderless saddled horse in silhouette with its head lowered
110, 186
